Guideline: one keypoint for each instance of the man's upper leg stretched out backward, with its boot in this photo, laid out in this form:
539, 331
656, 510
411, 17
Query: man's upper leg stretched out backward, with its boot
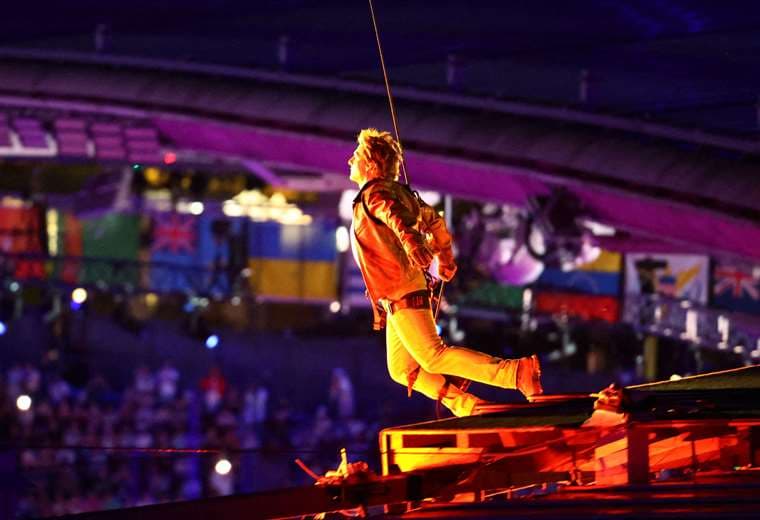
416, 330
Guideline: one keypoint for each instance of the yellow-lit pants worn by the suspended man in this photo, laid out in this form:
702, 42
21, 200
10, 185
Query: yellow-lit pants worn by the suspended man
412, 341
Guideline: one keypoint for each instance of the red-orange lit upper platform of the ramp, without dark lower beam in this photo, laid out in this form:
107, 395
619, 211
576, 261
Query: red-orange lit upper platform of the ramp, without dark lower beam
667, 431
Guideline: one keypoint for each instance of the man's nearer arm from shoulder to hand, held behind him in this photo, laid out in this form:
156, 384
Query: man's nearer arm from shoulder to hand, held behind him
383, 204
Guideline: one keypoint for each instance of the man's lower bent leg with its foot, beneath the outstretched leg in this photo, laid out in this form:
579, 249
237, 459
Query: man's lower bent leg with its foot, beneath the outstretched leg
402, 366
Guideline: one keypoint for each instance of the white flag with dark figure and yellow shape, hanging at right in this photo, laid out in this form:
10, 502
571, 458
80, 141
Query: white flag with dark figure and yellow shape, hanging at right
675, 276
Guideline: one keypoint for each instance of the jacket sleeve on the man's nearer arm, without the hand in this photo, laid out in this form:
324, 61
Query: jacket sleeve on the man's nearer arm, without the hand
385, 205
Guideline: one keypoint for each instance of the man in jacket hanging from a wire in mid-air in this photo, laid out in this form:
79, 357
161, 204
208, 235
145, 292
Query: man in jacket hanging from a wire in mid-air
389, 238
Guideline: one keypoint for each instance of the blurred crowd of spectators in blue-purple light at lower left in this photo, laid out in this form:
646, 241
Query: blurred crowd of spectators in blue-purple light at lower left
92, 447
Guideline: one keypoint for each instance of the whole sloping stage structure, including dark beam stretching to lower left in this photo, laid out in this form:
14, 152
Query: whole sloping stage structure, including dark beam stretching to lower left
674, 449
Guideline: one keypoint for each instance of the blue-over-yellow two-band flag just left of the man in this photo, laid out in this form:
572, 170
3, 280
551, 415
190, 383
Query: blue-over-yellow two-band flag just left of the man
293, 262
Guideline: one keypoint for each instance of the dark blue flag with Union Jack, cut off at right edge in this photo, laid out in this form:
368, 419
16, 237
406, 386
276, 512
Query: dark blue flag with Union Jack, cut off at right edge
736, 287
